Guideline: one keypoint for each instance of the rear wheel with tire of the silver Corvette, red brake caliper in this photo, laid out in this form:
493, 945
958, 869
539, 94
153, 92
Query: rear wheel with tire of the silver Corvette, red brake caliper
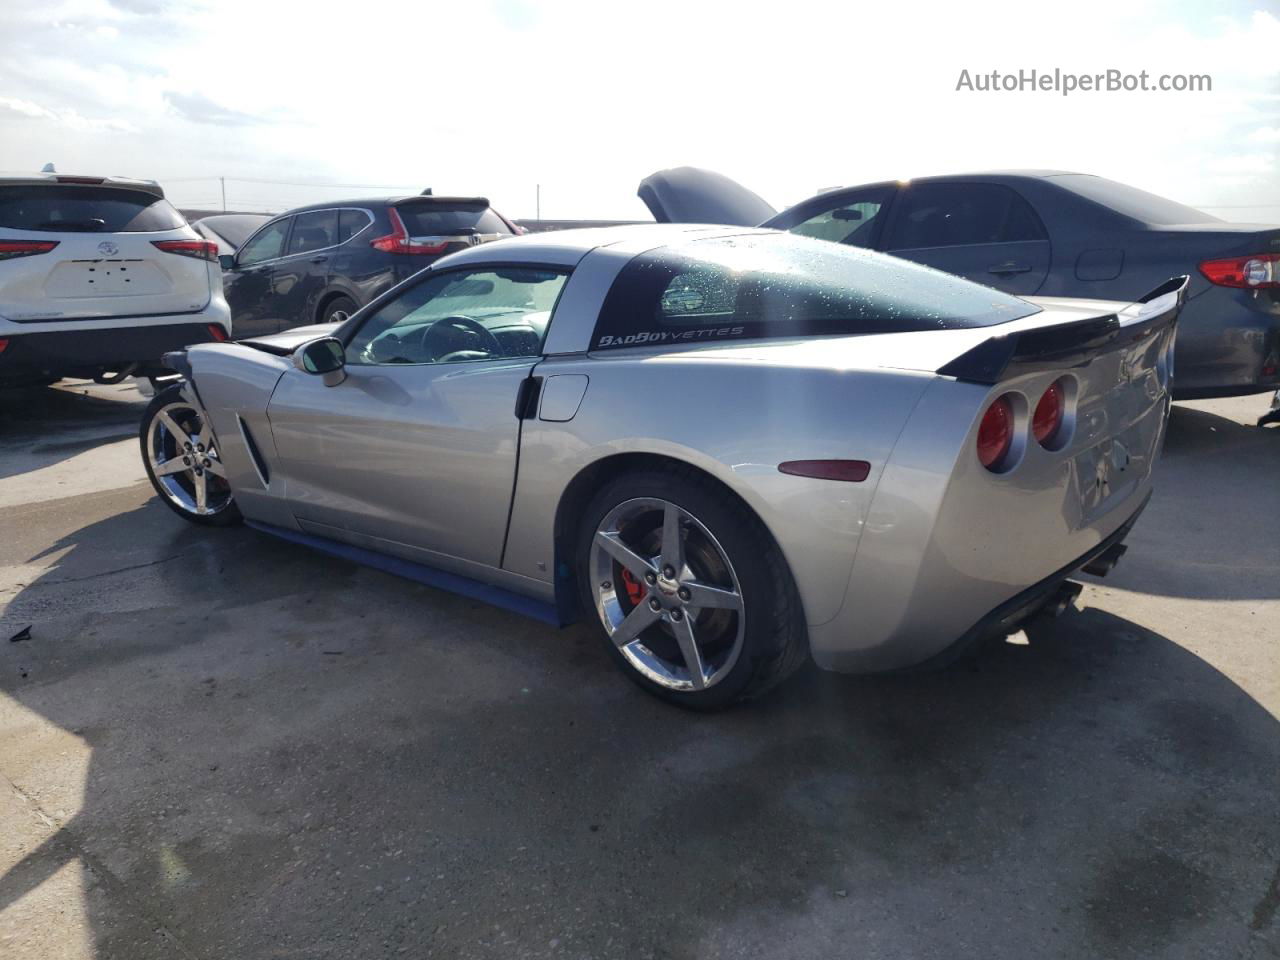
693, 595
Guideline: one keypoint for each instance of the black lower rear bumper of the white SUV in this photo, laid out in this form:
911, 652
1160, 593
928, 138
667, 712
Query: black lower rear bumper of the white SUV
89, 353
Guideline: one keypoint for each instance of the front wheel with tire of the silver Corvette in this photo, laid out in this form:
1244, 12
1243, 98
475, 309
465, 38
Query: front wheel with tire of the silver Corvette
182, 460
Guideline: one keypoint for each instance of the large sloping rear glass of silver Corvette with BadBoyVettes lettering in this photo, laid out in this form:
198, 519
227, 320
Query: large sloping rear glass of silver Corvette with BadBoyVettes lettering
761, 286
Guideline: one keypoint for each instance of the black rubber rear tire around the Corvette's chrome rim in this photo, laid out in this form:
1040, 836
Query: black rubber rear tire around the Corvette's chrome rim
775, 642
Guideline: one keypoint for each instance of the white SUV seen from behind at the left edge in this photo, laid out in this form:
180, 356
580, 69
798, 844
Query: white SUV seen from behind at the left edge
99, 278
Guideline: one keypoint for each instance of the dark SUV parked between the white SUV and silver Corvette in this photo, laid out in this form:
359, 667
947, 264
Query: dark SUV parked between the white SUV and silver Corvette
322, 263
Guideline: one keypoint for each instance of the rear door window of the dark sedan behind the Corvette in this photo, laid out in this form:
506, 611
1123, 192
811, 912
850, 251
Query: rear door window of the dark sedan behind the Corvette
952, 214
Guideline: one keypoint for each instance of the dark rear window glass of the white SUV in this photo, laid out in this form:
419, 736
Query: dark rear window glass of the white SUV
66, 209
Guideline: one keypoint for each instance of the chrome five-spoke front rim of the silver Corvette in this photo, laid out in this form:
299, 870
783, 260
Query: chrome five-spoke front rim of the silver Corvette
185, 461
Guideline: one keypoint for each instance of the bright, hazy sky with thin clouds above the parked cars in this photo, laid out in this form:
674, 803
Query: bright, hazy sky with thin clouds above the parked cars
495, 98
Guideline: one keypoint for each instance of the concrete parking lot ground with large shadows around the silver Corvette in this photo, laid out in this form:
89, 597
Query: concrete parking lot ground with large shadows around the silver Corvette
218, 746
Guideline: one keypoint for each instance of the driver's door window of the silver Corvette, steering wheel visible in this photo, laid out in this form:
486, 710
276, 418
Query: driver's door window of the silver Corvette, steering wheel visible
463, 316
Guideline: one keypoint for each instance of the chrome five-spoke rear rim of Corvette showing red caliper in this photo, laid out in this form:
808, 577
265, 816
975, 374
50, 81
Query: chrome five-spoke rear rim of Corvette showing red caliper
668, 595
